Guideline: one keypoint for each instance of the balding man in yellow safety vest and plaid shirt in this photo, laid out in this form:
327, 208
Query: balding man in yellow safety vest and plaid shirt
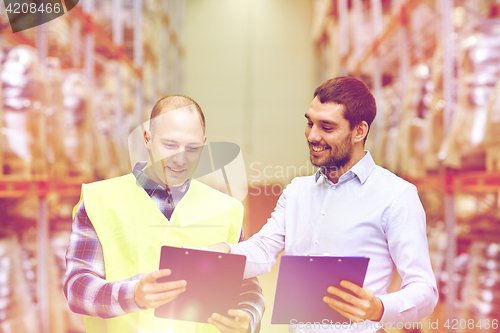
120, 225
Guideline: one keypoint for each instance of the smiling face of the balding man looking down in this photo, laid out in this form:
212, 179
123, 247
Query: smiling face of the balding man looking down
175, 144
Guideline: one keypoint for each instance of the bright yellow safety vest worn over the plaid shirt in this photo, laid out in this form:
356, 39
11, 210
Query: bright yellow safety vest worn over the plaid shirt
132, 230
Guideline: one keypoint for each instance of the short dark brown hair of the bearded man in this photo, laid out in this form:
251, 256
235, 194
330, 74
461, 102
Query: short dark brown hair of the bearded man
358, 101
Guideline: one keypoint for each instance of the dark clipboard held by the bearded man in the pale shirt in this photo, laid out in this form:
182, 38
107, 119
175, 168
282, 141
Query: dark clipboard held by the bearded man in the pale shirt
302, 283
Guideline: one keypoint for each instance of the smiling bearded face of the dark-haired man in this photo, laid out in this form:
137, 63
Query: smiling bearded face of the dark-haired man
330, 138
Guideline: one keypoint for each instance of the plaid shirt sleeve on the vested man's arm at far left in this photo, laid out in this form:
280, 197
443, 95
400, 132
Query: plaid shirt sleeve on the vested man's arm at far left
85, 285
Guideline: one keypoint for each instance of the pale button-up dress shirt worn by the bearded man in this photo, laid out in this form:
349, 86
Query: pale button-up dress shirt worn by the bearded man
370, 212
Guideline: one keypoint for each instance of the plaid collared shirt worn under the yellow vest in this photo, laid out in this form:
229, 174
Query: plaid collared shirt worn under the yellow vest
85, 286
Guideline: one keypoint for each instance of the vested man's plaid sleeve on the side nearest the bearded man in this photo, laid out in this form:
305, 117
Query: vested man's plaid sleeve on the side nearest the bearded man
251, 298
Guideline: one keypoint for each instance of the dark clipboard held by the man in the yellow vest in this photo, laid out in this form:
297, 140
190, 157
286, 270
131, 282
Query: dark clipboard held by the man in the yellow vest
213, 283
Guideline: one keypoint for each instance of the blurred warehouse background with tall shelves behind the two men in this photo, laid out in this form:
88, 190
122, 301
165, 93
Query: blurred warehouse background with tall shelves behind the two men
74, 88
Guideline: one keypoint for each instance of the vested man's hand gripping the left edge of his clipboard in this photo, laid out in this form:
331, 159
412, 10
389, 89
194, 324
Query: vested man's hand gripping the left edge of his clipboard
151, 294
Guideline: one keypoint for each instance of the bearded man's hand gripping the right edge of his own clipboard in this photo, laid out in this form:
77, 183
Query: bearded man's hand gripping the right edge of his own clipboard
365, 305
